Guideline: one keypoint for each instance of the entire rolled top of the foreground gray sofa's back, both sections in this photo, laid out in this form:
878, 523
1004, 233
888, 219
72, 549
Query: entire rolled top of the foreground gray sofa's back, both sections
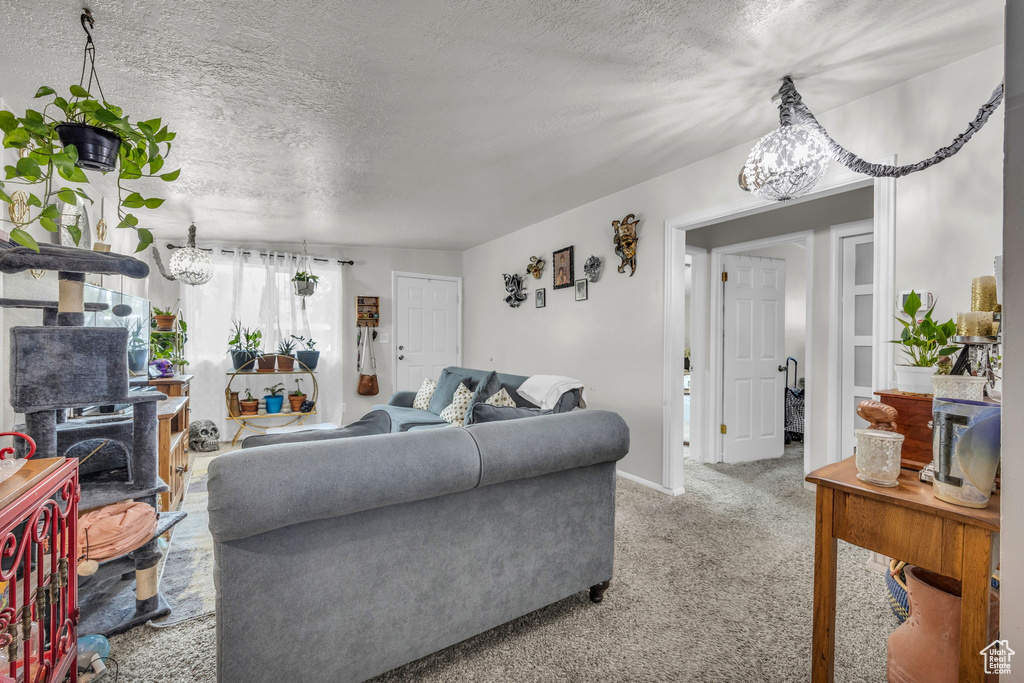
268, 488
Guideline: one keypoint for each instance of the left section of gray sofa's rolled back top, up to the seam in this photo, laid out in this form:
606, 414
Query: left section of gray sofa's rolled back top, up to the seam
260, 490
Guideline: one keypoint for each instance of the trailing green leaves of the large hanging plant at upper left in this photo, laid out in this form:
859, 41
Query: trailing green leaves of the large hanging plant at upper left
145, 148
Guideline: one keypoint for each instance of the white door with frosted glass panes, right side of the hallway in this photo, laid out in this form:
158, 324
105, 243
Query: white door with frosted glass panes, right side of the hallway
857, 332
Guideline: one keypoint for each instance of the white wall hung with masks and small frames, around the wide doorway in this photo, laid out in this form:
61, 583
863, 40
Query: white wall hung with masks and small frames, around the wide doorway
949, 229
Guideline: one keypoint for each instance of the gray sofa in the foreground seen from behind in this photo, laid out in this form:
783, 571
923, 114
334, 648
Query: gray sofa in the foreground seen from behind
340, 560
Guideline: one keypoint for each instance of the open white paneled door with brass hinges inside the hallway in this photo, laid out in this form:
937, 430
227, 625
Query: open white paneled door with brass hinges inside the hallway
754, 336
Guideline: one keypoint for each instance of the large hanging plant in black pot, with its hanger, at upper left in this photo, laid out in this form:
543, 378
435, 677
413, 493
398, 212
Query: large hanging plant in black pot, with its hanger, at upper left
76, 133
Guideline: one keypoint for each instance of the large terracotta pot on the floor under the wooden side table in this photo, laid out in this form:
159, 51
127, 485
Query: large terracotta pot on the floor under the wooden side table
926, 649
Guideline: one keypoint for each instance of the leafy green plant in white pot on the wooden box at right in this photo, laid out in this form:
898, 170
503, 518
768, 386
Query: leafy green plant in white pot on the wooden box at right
924, 343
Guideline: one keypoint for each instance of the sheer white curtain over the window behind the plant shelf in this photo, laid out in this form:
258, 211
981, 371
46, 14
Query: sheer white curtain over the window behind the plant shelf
258, 291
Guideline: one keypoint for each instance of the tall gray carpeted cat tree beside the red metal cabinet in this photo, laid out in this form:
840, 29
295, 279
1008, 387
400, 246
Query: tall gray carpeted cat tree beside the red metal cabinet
63, 366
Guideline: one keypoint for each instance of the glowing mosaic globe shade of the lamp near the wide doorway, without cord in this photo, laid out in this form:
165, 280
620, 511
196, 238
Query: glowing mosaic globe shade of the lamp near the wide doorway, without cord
787, 163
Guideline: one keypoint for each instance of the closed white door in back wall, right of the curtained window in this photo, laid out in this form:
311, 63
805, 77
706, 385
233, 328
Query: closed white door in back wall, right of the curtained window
426, 329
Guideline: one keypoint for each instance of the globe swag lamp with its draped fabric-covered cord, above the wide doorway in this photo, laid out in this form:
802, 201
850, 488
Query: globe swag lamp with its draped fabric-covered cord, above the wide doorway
788, 163
